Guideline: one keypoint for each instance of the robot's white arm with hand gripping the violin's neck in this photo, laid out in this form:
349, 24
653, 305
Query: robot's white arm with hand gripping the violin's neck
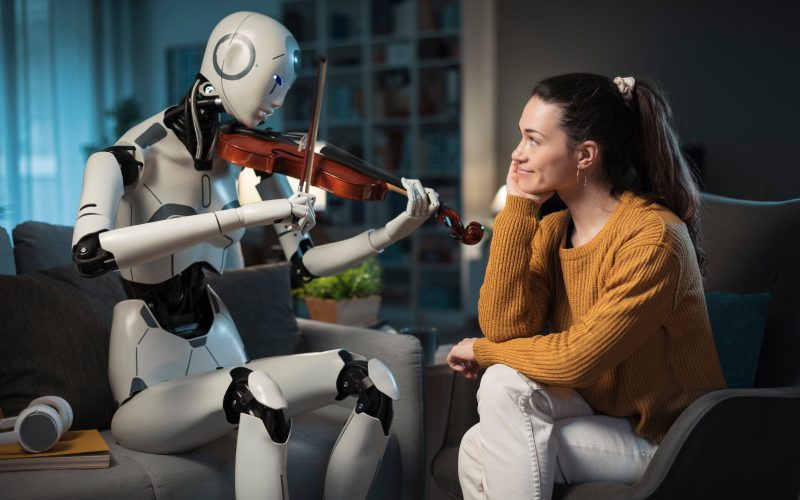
336, 257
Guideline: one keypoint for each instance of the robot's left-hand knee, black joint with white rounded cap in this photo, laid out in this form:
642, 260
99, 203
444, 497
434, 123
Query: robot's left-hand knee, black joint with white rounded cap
256, 394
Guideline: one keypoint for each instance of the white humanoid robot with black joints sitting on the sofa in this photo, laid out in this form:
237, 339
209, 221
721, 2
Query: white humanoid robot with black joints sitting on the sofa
163, 210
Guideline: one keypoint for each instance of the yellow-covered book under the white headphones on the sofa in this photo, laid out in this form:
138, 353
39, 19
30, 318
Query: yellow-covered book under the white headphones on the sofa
76, 450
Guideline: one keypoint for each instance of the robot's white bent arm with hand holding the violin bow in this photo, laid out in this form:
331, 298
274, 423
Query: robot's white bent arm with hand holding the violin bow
98, 248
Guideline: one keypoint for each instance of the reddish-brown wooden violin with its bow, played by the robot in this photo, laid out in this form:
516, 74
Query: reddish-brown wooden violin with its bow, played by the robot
324, 166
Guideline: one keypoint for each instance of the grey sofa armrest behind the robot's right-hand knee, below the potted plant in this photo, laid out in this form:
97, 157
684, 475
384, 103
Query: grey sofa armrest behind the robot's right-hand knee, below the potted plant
403, 355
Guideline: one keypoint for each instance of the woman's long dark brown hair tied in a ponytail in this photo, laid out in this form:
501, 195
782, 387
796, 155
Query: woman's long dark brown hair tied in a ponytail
639, 146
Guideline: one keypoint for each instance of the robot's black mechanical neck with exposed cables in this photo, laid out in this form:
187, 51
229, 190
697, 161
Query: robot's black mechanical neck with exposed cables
187, 118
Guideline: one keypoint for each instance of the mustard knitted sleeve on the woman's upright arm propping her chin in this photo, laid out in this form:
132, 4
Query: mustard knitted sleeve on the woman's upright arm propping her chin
515, 294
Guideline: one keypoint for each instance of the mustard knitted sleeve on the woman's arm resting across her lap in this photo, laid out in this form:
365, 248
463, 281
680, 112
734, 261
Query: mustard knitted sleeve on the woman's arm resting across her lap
639, 294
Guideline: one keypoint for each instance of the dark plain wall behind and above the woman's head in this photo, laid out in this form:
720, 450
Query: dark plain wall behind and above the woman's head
730, 70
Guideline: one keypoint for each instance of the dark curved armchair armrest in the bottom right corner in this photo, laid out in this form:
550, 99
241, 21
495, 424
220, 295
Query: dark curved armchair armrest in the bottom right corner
736, 443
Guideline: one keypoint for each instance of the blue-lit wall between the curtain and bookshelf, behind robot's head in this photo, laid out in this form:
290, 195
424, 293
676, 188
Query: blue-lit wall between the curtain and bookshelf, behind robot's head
159, 25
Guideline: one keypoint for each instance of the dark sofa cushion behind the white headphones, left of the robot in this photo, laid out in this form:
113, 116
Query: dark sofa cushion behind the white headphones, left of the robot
55, 341
